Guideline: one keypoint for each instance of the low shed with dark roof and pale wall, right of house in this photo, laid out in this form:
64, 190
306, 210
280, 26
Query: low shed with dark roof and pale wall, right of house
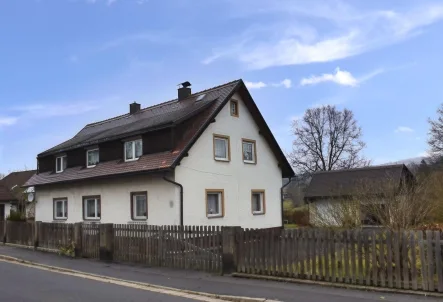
328, 189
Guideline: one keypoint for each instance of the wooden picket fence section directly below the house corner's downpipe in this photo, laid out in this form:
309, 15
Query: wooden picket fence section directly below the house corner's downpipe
188, 247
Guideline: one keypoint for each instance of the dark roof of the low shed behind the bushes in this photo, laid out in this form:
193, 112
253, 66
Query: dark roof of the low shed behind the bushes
346, 182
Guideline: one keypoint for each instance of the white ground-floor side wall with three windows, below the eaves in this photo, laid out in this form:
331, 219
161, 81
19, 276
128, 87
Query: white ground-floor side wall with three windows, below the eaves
163, 197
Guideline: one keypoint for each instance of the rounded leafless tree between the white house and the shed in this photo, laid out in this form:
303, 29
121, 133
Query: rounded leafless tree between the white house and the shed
327, 139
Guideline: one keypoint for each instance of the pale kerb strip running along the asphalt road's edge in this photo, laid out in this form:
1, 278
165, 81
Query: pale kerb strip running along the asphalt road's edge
146, 285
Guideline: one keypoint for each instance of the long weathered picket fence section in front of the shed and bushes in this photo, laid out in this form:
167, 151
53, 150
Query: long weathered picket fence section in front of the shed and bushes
407, 260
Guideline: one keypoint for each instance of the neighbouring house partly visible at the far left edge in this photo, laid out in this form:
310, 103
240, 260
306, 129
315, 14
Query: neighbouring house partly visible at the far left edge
11, 191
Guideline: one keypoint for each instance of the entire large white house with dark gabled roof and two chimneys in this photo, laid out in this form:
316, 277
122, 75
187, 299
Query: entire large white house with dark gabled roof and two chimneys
207, 158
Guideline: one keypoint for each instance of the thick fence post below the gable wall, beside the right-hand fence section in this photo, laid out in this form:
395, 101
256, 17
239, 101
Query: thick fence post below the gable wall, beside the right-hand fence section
229, 249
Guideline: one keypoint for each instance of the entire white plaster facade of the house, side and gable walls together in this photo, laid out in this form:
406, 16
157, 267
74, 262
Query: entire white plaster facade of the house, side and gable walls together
197, 172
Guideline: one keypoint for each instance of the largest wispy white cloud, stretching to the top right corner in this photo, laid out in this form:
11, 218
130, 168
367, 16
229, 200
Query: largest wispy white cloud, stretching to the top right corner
349, 32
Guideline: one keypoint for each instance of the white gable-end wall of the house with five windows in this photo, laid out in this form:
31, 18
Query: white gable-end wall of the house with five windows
199, 171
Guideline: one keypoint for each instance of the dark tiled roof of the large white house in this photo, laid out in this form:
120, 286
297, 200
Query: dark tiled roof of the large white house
202, 112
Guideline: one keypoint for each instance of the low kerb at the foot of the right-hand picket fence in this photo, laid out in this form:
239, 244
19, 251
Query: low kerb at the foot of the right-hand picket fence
338, 285
